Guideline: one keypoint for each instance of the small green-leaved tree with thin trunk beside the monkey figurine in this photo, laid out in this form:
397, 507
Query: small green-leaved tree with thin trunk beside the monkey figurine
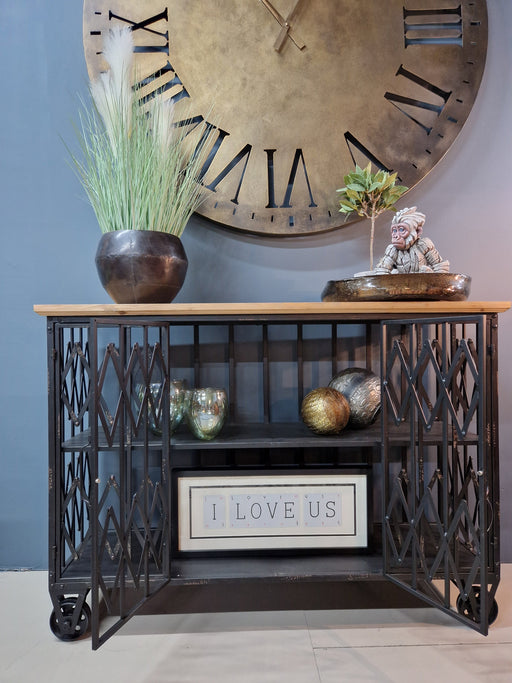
369, 194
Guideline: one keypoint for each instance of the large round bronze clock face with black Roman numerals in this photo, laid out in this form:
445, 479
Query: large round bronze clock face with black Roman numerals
295, 92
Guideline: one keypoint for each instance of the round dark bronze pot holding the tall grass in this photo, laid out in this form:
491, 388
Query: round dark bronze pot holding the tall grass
141, 266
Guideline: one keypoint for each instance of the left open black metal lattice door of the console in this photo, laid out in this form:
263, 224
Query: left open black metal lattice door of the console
130, 504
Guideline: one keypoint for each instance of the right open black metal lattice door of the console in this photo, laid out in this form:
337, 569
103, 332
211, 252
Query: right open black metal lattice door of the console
439, 466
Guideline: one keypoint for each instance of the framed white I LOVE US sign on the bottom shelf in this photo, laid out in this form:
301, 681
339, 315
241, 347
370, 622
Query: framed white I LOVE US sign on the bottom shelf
233, 512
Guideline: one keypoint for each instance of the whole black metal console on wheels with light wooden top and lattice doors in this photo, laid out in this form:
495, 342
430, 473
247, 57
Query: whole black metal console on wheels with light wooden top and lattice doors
121, 540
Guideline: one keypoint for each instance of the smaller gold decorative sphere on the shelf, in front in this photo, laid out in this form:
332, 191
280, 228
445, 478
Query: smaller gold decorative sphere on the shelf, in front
325, 411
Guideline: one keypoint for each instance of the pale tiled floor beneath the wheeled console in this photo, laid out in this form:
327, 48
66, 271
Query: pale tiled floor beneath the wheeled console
301, 647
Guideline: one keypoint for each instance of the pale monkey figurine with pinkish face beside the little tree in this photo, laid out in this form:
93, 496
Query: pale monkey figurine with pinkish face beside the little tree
409, 252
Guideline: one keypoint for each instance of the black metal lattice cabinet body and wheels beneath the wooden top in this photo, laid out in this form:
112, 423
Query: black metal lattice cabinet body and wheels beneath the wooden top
112, 531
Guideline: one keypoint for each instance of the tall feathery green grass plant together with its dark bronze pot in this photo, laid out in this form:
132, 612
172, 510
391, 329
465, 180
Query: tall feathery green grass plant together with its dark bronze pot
139, 168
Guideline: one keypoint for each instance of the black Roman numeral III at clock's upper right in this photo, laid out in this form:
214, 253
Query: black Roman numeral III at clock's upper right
441, 26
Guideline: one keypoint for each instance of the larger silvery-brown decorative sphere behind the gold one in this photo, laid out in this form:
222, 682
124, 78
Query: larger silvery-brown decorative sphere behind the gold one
361, 388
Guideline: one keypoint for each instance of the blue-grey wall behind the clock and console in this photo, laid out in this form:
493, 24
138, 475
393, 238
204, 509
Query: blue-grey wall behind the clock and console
49, 238
